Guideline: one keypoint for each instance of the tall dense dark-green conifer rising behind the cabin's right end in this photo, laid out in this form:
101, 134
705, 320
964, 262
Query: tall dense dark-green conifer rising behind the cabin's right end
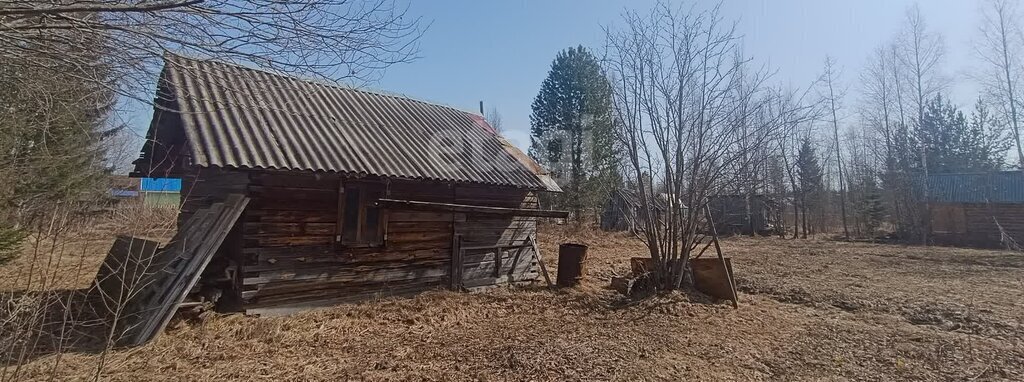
573, 131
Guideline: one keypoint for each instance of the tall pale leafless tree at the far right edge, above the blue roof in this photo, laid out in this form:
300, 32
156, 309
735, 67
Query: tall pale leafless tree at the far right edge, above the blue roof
1001, 47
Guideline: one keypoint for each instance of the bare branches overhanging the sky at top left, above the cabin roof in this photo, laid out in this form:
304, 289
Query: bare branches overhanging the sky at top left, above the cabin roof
336, 40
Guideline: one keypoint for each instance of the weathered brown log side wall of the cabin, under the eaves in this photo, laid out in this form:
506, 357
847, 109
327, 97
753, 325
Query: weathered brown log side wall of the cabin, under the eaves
286, 257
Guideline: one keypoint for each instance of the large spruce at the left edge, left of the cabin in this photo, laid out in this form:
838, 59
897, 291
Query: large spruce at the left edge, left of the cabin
53, 128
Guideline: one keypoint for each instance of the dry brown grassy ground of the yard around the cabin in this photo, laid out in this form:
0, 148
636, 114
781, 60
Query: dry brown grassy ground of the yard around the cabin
810, 310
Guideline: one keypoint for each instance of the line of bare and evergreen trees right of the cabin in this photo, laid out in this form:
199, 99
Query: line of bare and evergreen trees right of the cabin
643, 113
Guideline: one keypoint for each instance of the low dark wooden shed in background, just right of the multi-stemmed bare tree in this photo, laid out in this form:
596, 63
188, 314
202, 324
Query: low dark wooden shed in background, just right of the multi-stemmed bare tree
732, 216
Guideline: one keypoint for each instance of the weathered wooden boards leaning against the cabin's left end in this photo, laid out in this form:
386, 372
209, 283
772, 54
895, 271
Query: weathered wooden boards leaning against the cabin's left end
141, 286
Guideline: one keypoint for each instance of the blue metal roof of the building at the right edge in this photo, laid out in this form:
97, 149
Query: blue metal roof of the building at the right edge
1003, 187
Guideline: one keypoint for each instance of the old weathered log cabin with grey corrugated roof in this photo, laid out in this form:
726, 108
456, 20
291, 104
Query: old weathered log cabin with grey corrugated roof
353, 194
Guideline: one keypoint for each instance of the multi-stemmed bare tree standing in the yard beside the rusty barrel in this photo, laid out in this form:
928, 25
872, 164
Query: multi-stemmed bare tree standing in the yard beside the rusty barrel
678, 98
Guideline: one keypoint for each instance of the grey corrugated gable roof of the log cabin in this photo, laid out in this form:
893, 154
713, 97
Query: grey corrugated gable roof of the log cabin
236, 117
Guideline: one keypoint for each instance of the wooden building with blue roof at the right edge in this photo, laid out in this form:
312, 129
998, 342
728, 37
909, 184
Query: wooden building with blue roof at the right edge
976, 209
